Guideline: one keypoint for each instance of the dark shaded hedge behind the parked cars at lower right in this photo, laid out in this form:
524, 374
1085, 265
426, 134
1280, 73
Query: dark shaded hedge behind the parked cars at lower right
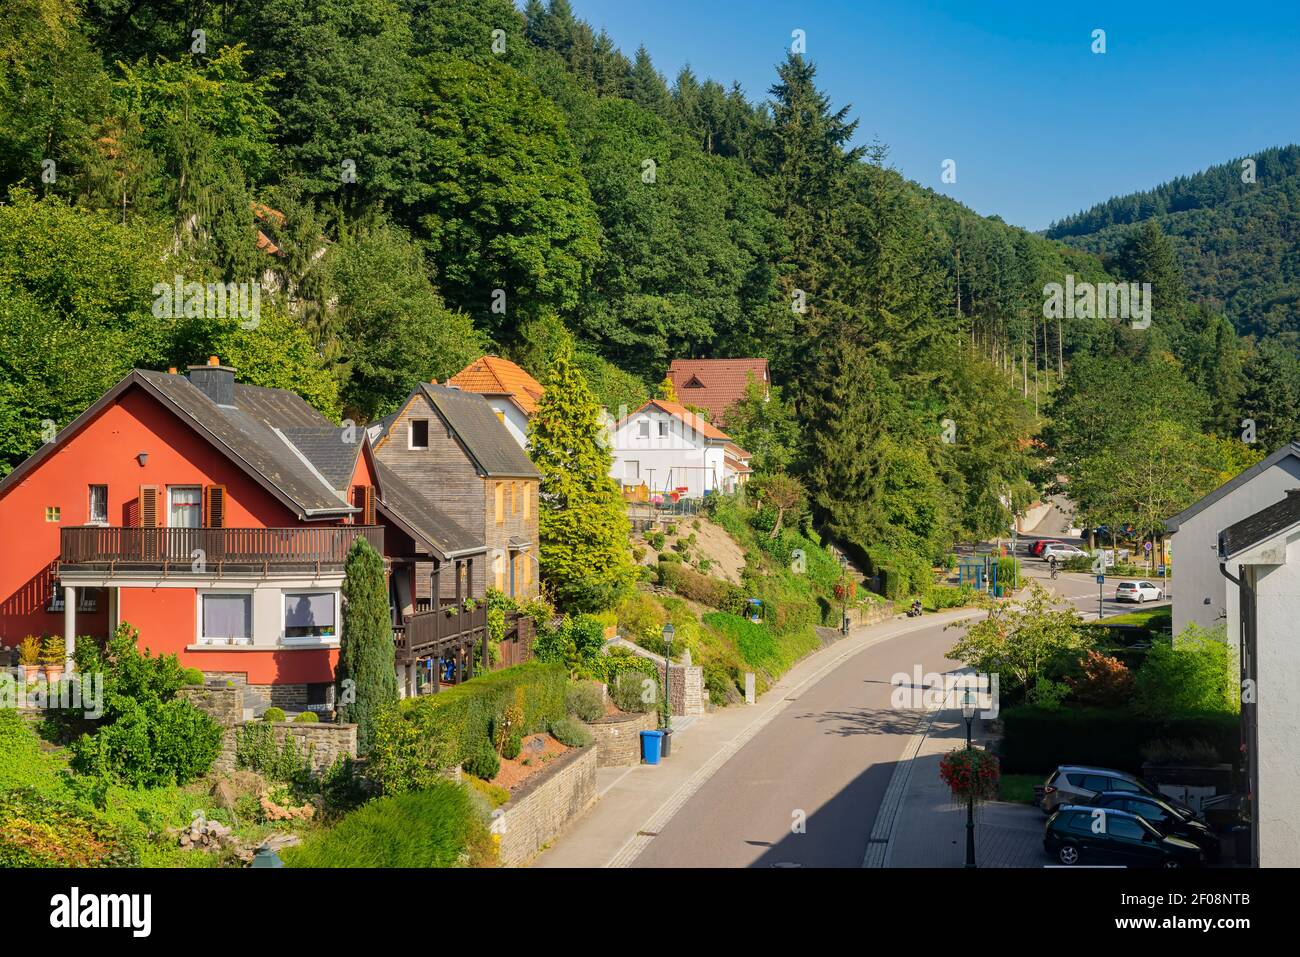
1037, 739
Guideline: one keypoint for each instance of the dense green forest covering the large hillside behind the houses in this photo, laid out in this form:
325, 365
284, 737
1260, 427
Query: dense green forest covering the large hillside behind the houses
414, 184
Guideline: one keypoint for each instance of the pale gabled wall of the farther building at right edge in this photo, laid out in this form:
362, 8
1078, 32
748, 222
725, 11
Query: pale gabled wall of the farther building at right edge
1195, 551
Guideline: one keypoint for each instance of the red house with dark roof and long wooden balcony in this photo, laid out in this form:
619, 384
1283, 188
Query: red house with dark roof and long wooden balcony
215, 517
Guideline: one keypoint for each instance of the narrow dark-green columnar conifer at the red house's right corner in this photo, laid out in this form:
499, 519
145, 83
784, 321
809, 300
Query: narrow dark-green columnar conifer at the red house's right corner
367, 677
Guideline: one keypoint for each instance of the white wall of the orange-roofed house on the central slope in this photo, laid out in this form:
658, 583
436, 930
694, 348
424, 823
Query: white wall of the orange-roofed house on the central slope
671, 456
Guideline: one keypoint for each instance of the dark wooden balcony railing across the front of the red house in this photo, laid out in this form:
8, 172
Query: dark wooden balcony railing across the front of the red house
213, 549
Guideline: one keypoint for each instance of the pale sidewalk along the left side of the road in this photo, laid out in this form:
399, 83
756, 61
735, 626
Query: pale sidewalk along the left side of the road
635, 803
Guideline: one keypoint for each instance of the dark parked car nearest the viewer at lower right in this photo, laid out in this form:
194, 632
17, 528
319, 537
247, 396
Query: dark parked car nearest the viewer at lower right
1081, 835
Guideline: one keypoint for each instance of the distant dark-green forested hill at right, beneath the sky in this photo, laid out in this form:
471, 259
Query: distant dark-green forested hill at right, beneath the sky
1237, 233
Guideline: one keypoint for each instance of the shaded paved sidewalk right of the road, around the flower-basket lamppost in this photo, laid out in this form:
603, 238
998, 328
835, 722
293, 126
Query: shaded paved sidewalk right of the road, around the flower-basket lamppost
922, 826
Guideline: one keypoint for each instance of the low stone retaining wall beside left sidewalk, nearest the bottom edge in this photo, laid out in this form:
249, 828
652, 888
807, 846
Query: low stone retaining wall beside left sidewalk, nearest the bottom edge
544, 806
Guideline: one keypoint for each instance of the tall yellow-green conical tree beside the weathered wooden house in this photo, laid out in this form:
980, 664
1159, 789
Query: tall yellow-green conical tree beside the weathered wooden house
583, 525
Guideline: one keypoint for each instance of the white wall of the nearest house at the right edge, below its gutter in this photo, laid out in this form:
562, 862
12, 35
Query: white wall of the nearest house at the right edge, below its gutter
1279, 711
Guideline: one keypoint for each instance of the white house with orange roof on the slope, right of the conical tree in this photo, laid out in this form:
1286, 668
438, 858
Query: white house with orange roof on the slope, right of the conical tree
670, 449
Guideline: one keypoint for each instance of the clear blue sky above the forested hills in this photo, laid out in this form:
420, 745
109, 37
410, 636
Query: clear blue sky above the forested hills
1038, 124
